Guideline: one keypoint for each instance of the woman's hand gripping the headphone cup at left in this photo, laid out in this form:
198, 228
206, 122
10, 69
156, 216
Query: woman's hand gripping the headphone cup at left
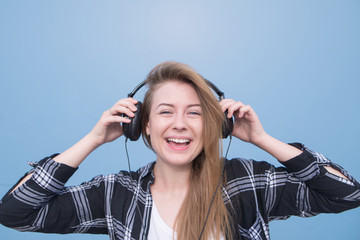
109, 126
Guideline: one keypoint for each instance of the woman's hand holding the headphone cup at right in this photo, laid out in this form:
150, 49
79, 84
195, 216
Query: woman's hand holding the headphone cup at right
247, 126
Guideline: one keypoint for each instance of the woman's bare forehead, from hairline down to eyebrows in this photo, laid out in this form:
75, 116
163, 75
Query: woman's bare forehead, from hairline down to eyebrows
175, 92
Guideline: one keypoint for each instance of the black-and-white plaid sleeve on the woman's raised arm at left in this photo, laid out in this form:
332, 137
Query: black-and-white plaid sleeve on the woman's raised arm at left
43, 204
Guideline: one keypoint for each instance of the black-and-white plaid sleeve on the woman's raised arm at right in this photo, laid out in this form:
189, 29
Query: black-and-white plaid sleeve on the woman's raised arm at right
305, 188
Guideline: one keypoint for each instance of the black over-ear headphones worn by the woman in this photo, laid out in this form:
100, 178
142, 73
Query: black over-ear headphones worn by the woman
132, 130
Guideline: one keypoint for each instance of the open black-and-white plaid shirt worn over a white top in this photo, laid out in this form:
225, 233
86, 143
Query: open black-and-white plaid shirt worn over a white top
120, 204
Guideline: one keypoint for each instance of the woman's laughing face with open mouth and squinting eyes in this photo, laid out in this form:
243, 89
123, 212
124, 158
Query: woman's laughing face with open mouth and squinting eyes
175, 124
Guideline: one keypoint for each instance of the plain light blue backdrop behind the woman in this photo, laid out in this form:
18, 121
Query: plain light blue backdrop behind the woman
62, 63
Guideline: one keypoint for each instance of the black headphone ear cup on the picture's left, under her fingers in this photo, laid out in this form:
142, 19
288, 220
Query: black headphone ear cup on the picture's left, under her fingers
132, 130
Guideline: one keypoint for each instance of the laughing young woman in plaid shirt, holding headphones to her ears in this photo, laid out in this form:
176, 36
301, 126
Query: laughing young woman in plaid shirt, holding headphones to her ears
172, 197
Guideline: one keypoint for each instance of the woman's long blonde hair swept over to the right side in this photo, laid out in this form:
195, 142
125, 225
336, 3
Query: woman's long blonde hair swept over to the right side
206, 168
